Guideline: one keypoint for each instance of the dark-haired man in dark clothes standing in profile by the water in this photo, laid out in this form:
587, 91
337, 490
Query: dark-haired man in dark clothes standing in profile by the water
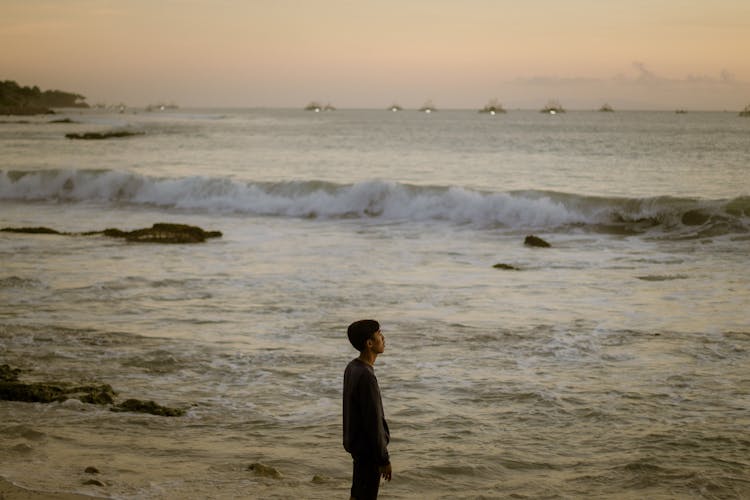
366, 434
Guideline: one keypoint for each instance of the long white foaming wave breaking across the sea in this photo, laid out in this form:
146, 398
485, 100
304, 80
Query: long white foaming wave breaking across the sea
384, 200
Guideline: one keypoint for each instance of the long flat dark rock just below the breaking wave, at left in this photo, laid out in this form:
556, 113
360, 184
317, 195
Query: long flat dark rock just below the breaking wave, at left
158, 233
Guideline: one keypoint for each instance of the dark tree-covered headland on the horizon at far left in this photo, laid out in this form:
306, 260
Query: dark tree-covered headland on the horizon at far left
17, 100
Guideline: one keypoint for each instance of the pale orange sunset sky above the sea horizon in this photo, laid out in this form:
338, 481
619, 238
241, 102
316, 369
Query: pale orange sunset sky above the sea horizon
632, 54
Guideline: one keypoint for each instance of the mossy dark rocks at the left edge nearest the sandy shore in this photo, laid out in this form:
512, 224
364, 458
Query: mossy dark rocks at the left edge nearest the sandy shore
11, 389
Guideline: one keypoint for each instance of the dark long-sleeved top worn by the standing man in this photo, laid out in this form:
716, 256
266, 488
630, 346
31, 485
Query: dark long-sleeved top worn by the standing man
366, 434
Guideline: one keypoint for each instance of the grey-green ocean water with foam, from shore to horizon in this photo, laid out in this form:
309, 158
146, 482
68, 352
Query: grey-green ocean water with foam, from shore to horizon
613, 364
